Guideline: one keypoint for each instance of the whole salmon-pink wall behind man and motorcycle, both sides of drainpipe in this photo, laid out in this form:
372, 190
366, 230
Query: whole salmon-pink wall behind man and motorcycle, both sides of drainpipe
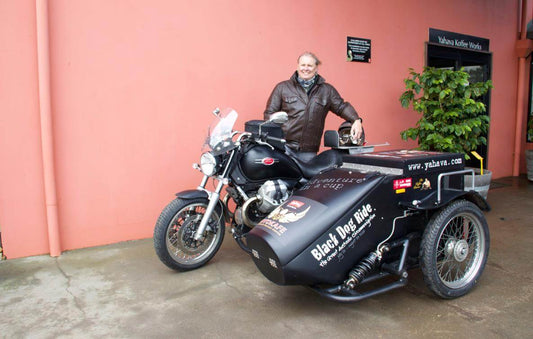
133, 84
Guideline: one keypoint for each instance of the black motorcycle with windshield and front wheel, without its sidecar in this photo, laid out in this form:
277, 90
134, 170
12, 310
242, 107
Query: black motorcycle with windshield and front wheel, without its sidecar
258, 177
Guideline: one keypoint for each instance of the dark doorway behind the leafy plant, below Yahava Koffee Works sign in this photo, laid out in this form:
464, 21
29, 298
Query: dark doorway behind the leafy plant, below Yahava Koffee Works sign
477, 64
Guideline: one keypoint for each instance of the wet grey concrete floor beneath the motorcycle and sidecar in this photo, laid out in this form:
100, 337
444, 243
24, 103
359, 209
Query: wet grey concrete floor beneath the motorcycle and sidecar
123, 291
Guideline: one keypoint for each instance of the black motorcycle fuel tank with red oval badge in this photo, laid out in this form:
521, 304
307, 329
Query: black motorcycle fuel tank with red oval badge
261, 163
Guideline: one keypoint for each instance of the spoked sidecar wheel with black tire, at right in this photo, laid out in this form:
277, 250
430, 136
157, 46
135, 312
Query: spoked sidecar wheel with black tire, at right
454, 249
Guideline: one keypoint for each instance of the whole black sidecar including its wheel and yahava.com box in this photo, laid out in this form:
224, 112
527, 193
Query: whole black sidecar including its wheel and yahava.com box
372, 220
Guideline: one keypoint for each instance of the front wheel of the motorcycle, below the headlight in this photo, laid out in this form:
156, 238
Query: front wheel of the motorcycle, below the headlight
174, 231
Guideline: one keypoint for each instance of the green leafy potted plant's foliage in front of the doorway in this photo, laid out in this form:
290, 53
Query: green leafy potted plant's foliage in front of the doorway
453, 118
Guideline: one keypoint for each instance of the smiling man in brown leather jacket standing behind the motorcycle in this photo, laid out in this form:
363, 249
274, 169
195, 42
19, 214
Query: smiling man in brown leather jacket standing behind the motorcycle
307, 99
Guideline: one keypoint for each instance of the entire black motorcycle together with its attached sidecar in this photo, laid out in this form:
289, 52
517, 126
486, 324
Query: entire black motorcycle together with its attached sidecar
340, 224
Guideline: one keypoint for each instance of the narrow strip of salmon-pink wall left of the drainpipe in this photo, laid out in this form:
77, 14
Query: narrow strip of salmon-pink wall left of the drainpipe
22, 208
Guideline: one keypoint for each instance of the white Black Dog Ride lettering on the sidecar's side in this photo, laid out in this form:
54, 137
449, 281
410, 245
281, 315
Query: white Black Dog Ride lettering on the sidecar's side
343, 236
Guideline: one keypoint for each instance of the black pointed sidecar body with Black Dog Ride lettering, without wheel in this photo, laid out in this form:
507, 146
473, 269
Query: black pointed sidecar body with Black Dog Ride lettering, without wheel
325, 228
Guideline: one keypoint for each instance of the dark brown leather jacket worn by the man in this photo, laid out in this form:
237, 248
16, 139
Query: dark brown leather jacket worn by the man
307, 112
